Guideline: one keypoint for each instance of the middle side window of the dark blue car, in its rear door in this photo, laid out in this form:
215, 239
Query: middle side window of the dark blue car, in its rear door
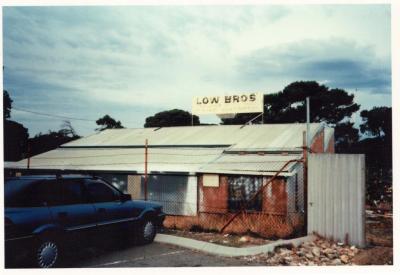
72, 192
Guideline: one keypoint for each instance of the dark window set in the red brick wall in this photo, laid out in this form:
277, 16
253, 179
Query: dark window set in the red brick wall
241, 190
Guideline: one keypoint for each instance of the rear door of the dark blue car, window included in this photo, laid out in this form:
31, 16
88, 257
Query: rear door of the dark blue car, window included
73, 211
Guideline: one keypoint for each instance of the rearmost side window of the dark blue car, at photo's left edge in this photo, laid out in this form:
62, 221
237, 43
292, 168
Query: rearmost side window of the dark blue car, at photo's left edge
15, 191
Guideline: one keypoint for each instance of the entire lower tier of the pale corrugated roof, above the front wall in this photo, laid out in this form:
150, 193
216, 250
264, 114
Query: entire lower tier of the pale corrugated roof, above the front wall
160, 160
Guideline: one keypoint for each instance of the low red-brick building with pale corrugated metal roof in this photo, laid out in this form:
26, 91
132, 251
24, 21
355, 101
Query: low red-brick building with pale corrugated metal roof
201, 174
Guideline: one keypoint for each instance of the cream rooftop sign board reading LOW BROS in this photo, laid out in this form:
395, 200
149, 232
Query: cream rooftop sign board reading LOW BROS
228, 104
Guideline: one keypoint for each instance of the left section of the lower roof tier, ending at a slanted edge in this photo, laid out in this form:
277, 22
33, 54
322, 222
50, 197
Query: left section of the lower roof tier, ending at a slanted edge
123, 159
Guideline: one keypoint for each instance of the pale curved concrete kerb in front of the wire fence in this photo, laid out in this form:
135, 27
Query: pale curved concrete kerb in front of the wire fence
227, 251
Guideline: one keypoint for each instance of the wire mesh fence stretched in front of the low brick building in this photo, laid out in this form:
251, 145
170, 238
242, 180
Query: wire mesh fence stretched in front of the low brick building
255, 192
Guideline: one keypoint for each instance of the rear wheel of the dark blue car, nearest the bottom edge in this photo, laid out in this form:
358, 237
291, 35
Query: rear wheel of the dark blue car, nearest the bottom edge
47, 253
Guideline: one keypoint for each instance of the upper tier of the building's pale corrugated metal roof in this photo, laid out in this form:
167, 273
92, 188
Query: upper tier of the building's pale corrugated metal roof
249, 137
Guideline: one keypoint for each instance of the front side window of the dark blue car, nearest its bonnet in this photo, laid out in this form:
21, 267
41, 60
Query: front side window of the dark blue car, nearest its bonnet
100, 191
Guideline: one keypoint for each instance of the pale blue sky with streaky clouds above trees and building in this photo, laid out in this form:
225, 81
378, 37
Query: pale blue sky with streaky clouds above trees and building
133, 61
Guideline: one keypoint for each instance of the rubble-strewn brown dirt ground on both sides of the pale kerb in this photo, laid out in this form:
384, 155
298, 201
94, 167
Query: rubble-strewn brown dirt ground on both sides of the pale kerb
379, 249
